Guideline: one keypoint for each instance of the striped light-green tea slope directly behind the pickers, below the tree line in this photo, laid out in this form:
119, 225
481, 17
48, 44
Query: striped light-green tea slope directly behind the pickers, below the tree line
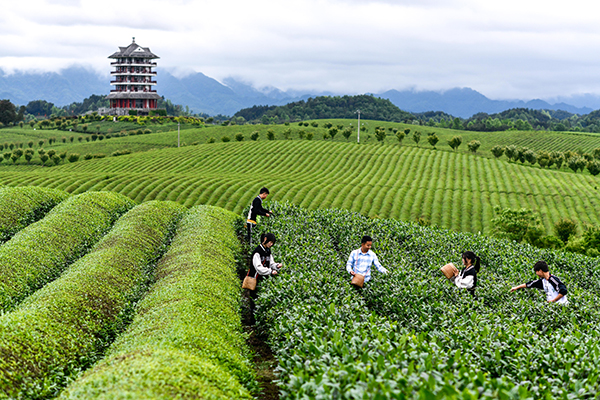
452, 190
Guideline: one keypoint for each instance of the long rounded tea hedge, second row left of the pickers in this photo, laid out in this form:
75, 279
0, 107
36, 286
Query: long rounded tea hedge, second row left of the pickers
65, 326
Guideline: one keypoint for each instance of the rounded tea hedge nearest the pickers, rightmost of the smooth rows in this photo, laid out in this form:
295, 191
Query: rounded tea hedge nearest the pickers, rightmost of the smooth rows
187, 329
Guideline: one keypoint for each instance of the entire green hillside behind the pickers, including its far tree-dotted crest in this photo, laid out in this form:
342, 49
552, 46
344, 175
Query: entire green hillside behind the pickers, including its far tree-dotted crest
452, 189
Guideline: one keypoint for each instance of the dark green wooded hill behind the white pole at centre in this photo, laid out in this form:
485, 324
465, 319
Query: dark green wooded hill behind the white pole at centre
322, 107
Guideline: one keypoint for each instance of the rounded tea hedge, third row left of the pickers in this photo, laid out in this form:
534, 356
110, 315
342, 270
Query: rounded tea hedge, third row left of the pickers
40, 252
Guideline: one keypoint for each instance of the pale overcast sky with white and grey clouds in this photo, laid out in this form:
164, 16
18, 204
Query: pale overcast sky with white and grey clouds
505, 49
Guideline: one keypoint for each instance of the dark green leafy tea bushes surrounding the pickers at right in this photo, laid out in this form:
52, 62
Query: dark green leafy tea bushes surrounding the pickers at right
410, 334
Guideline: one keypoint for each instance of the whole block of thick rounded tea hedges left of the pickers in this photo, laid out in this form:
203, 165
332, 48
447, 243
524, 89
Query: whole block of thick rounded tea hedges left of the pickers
148, 294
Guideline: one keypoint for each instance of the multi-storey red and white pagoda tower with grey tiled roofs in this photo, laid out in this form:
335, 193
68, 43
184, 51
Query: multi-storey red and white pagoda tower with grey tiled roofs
133, 84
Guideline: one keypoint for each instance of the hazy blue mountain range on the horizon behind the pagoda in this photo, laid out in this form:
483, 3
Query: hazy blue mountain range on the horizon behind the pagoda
204, 94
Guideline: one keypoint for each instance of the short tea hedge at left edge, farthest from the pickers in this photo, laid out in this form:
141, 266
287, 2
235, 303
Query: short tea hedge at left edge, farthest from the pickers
22, 206
